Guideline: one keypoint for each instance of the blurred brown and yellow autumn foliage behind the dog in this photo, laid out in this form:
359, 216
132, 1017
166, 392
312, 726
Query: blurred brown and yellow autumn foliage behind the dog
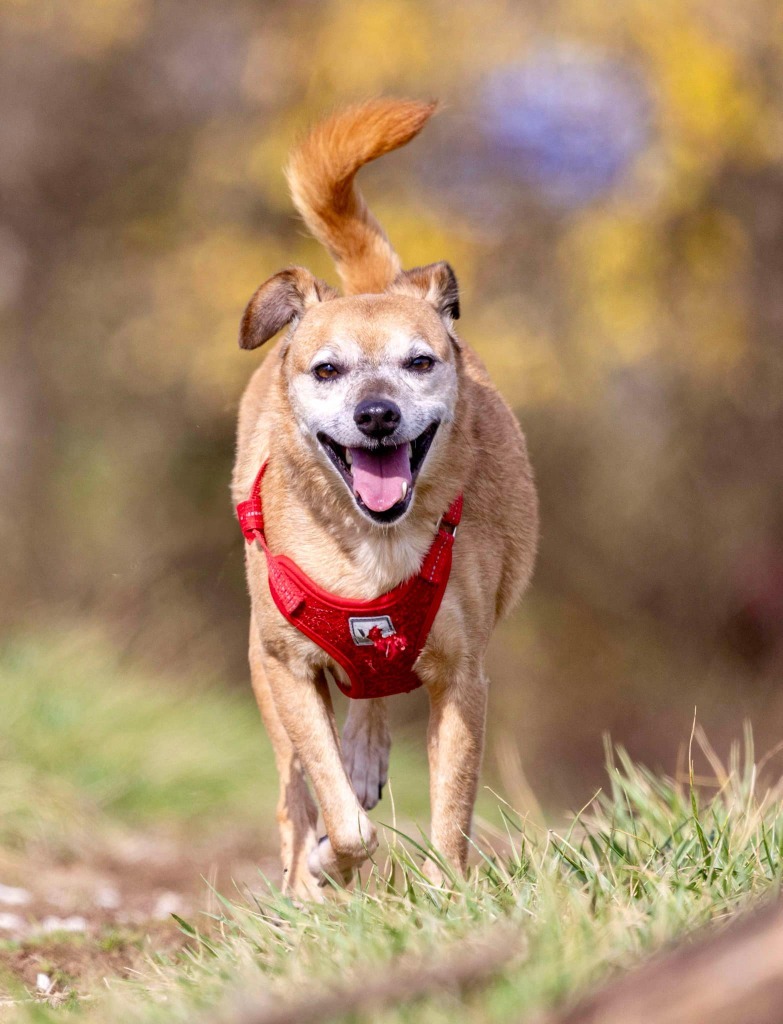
606, 180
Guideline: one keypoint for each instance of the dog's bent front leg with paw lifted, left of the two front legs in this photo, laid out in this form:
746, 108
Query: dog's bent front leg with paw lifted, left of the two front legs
304, 709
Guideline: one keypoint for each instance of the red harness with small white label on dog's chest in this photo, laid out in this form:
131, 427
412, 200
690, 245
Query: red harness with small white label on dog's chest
376, 643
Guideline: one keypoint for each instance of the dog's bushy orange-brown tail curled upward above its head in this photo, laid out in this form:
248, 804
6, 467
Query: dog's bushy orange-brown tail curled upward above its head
321, 175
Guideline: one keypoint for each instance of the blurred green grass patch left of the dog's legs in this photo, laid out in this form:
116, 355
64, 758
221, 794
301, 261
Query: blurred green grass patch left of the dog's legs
84, 741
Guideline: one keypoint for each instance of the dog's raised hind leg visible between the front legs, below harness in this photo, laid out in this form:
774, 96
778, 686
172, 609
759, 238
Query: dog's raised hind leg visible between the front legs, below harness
366, 750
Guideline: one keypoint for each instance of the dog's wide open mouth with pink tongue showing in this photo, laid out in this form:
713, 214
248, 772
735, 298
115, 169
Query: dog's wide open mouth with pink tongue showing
381, 479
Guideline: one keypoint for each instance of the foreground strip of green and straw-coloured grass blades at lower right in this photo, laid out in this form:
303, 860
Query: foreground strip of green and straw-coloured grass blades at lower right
647, 863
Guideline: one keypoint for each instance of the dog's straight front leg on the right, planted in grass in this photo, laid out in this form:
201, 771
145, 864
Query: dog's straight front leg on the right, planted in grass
455, 748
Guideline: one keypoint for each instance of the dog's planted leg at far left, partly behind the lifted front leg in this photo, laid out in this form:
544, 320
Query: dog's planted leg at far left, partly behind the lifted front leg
297, 815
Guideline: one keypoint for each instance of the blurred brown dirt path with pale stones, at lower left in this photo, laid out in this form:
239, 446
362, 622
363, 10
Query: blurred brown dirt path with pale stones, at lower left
66, 925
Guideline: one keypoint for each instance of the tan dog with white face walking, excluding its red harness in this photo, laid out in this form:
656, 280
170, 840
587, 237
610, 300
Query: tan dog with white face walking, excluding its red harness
355, 382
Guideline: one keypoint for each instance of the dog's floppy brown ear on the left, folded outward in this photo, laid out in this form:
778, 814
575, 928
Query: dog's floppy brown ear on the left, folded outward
280, 302
